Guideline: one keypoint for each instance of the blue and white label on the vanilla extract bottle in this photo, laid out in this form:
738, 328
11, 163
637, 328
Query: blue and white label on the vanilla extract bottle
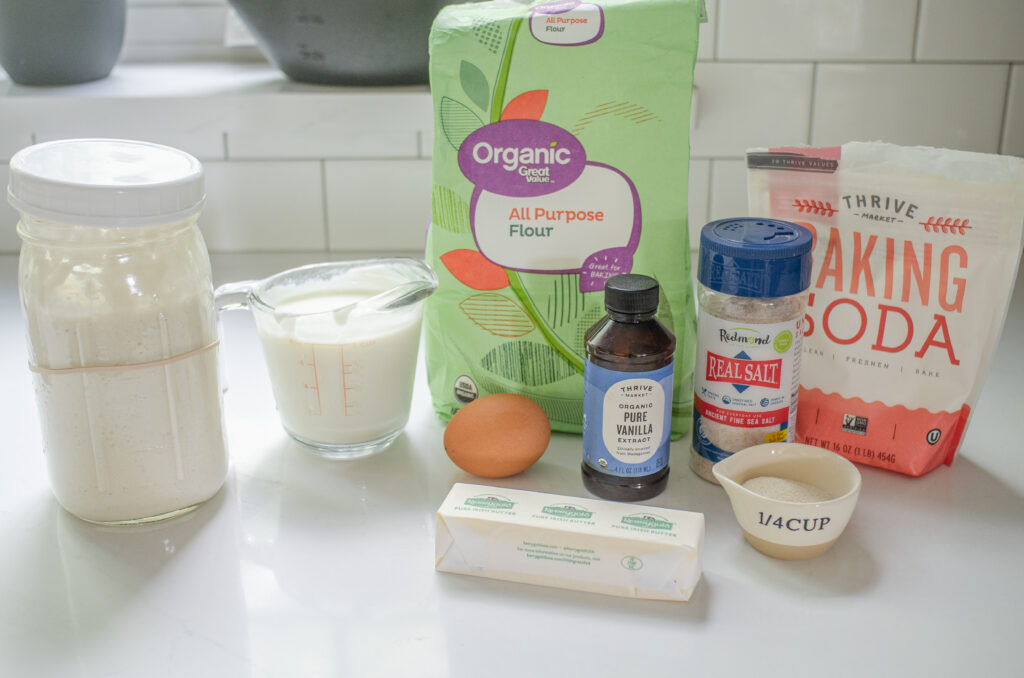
627, 420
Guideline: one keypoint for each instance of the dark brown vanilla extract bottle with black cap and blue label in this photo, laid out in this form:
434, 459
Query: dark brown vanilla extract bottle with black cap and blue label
628, 395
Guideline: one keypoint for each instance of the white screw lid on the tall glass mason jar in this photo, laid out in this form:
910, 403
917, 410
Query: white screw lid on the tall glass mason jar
106, 183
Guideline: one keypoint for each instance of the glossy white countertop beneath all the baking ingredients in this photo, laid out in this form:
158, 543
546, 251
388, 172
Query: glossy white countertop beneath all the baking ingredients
302, 567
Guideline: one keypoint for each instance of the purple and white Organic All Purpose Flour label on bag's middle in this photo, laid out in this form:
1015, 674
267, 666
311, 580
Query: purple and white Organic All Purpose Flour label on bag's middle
540, 206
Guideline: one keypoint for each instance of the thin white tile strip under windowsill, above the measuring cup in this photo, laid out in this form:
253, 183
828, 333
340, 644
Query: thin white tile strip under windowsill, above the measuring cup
331, 146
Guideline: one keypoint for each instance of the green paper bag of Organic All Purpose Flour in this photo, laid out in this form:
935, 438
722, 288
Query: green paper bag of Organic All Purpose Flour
562, 158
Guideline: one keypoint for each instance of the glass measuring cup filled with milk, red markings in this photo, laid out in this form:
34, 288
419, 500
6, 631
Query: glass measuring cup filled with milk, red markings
342, 342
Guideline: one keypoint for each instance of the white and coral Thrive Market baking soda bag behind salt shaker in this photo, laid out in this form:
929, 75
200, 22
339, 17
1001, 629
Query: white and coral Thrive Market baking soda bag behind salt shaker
915, 256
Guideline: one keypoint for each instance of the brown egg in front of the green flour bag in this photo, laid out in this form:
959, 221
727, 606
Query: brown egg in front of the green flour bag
498, 436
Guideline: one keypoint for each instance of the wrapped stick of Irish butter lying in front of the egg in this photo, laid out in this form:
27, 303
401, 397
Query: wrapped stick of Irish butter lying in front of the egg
570, 543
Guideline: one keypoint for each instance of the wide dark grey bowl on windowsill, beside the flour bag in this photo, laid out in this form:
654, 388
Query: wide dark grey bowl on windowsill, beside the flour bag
345, 43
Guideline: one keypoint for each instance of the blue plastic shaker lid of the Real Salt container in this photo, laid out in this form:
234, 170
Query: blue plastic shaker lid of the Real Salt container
753, 258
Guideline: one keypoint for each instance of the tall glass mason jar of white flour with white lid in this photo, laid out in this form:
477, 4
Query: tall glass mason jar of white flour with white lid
118, 302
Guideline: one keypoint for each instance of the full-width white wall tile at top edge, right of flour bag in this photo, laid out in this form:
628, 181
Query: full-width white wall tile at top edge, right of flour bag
813, 30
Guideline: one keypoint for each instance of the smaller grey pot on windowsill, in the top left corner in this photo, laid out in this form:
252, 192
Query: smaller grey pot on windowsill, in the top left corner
61, 43
